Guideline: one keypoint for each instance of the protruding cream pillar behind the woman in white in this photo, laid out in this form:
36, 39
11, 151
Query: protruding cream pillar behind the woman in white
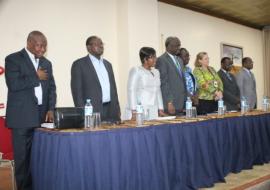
138, 27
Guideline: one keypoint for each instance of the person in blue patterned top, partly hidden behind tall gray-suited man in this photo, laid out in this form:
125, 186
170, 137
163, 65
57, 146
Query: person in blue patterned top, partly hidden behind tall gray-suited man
189, 77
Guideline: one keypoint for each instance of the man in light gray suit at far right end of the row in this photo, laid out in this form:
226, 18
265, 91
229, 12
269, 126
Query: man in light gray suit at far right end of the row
246, 82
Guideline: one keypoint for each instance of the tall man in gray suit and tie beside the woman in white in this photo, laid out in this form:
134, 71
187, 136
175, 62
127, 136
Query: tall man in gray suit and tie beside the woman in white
172, 77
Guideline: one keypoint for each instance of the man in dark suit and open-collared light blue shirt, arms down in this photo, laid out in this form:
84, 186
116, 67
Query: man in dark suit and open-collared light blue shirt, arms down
92, 78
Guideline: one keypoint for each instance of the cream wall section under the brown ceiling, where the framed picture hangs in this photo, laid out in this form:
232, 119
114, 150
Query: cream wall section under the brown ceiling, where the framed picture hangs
199, 32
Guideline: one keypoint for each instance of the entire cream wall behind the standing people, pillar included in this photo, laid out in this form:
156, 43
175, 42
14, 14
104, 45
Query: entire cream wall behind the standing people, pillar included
125, 26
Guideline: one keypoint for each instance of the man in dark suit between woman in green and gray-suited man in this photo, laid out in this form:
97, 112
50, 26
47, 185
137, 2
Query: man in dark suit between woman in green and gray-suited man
231, 92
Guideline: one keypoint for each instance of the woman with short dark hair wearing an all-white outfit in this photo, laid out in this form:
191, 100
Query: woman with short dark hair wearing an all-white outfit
144, 86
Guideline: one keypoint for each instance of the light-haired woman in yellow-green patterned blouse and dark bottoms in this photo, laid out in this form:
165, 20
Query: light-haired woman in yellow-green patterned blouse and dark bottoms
210, 86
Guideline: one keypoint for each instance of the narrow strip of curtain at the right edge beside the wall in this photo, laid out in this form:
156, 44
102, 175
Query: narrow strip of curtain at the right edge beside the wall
266, 58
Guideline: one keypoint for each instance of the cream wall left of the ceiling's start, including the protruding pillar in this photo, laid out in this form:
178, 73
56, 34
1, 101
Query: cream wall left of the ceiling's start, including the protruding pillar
124, 26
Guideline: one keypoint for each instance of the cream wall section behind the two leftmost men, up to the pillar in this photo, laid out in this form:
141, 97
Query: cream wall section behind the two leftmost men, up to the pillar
66, 24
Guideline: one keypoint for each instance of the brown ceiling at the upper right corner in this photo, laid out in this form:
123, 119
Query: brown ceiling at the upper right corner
252, 13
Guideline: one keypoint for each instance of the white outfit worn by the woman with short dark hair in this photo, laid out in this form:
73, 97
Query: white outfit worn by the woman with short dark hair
144, 87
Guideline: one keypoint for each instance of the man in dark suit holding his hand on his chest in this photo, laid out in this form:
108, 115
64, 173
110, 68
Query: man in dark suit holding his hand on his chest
31, 100
